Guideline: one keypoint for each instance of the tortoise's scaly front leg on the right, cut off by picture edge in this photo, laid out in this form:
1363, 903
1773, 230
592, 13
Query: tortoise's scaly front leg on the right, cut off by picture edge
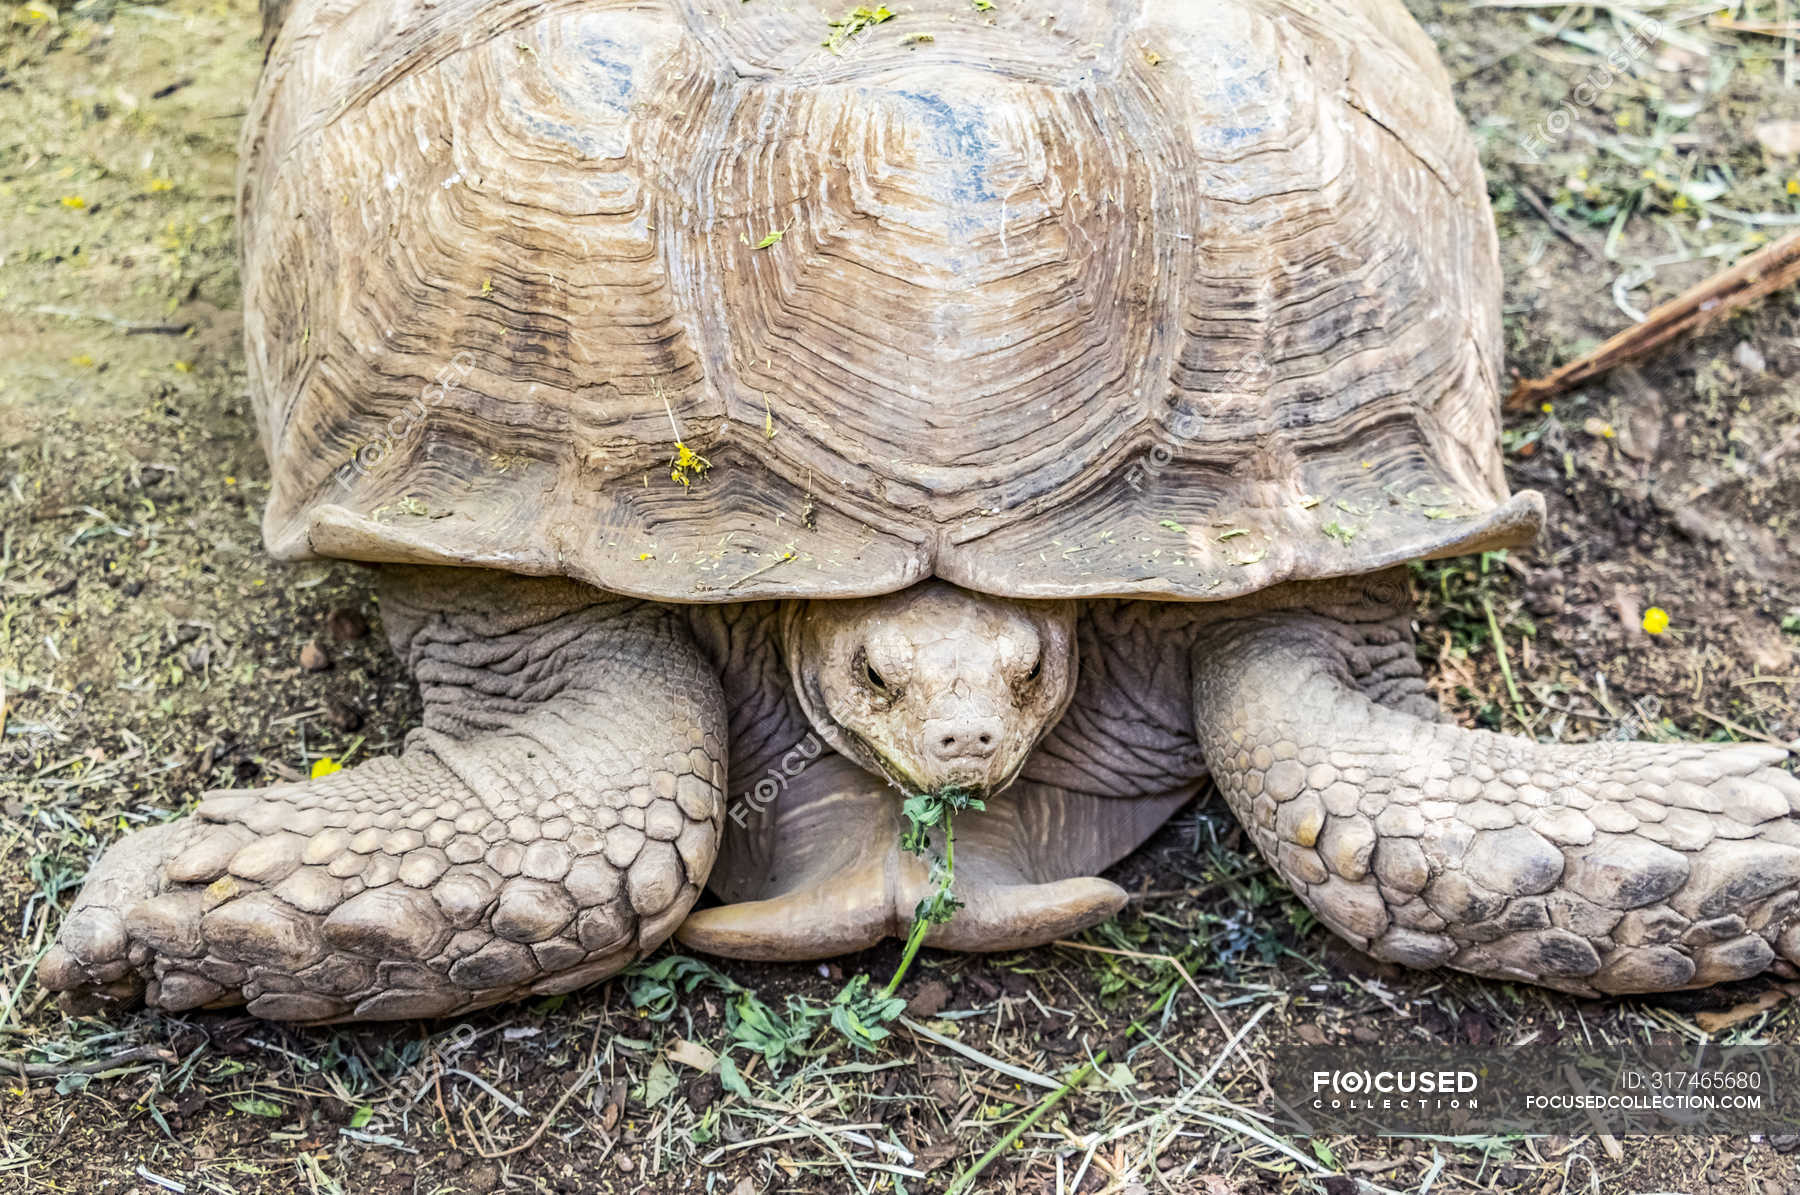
1590, 868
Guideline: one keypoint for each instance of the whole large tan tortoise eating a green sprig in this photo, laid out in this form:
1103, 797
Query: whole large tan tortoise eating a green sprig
759, 417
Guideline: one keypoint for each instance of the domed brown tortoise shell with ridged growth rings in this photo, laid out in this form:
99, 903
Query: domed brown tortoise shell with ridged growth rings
712, 301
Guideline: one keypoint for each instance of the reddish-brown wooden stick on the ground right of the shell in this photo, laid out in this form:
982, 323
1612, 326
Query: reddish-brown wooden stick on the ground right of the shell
1758, 276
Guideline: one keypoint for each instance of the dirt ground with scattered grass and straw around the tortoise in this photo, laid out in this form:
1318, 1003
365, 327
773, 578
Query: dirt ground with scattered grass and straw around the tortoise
150, 651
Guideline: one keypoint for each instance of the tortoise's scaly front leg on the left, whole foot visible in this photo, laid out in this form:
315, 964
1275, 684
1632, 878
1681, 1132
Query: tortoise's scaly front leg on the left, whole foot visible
552, 822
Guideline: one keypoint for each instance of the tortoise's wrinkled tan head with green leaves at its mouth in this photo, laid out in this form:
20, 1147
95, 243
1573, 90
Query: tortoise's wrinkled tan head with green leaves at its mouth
935, 687
